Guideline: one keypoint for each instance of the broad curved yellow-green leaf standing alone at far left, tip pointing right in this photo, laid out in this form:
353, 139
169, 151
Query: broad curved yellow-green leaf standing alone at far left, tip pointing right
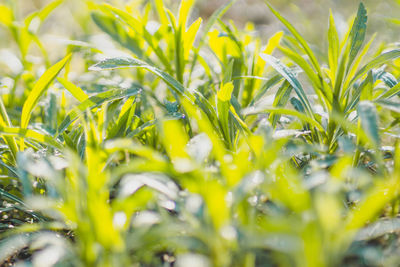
39, 88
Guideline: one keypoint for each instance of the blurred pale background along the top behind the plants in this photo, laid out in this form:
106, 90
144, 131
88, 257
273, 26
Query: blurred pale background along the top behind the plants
72, 21
